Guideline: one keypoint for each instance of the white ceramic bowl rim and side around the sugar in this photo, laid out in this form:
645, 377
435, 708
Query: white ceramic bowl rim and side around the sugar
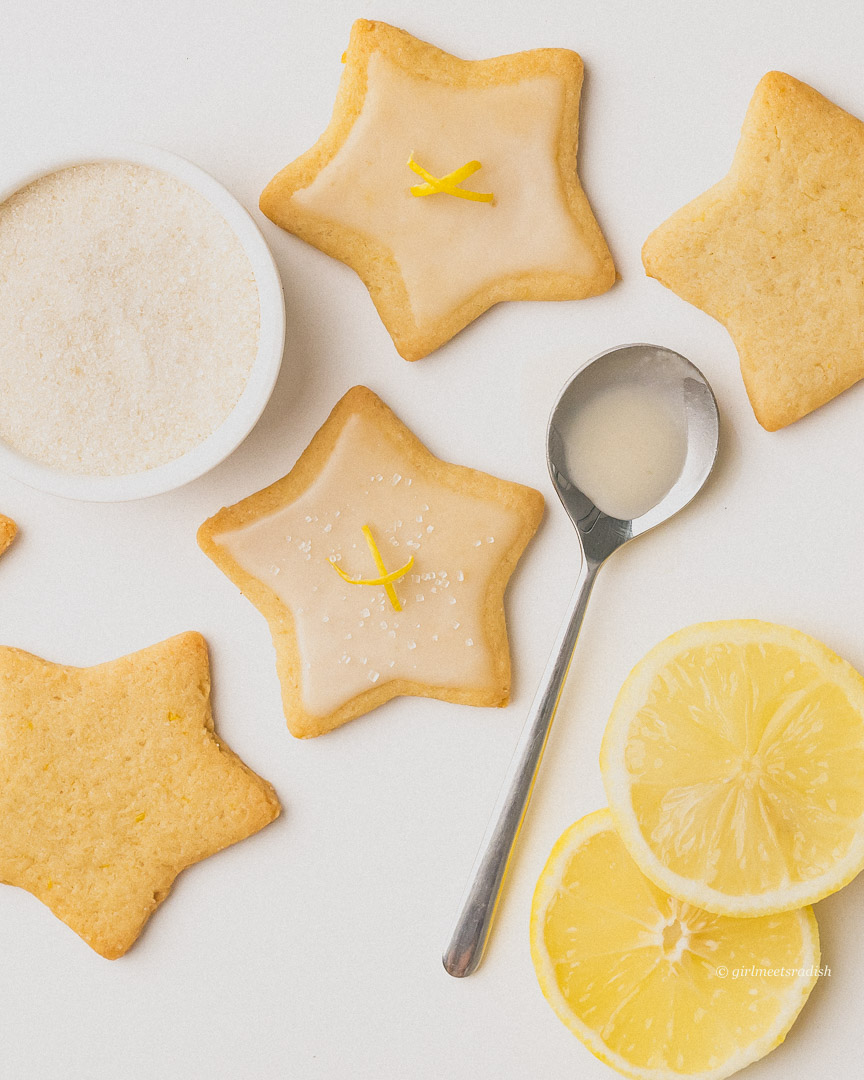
246, 414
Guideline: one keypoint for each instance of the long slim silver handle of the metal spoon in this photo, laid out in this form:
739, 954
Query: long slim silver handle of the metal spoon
480, 901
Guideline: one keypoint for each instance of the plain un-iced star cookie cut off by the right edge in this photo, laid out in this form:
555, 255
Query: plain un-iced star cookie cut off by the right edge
776, 251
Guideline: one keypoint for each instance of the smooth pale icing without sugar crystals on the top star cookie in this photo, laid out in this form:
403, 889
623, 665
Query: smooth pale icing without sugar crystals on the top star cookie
448, 249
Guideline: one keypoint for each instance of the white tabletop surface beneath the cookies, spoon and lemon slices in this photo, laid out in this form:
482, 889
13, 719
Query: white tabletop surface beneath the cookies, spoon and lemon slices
313, 951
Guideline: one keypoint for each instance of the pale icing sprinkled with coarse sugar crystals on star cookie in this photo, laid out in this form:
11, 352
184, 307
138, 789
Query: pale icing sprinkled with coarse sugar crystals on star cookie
349, 637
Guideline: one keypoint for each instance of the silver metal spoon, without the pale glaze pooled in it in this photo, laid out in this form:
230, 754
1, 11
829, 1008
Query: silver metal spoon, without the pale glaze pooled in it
691, 397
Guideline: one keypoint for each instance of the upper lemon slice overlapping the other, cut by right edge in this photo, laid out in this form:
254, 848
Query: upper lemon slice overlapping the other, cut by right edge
734, 764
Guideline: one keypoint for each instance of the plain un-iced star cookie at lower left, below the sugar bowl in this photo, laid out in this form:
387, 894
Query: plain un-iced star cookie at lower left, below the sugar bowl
113, 781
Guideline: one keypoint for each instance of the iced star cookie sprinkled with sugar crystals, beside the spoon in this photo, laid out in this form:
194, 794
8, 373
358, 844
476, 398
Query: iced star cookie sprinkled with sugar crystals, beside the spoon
381, 570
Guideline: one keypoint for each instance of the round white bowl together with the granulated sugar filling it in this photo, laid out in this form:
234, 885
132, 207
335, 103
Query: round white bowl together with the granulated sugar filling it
142, 325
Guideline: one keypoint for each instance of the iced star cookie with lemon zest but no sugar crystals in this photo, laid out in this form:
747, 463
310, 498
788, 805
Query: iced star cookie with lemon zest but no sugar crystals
448, 185
